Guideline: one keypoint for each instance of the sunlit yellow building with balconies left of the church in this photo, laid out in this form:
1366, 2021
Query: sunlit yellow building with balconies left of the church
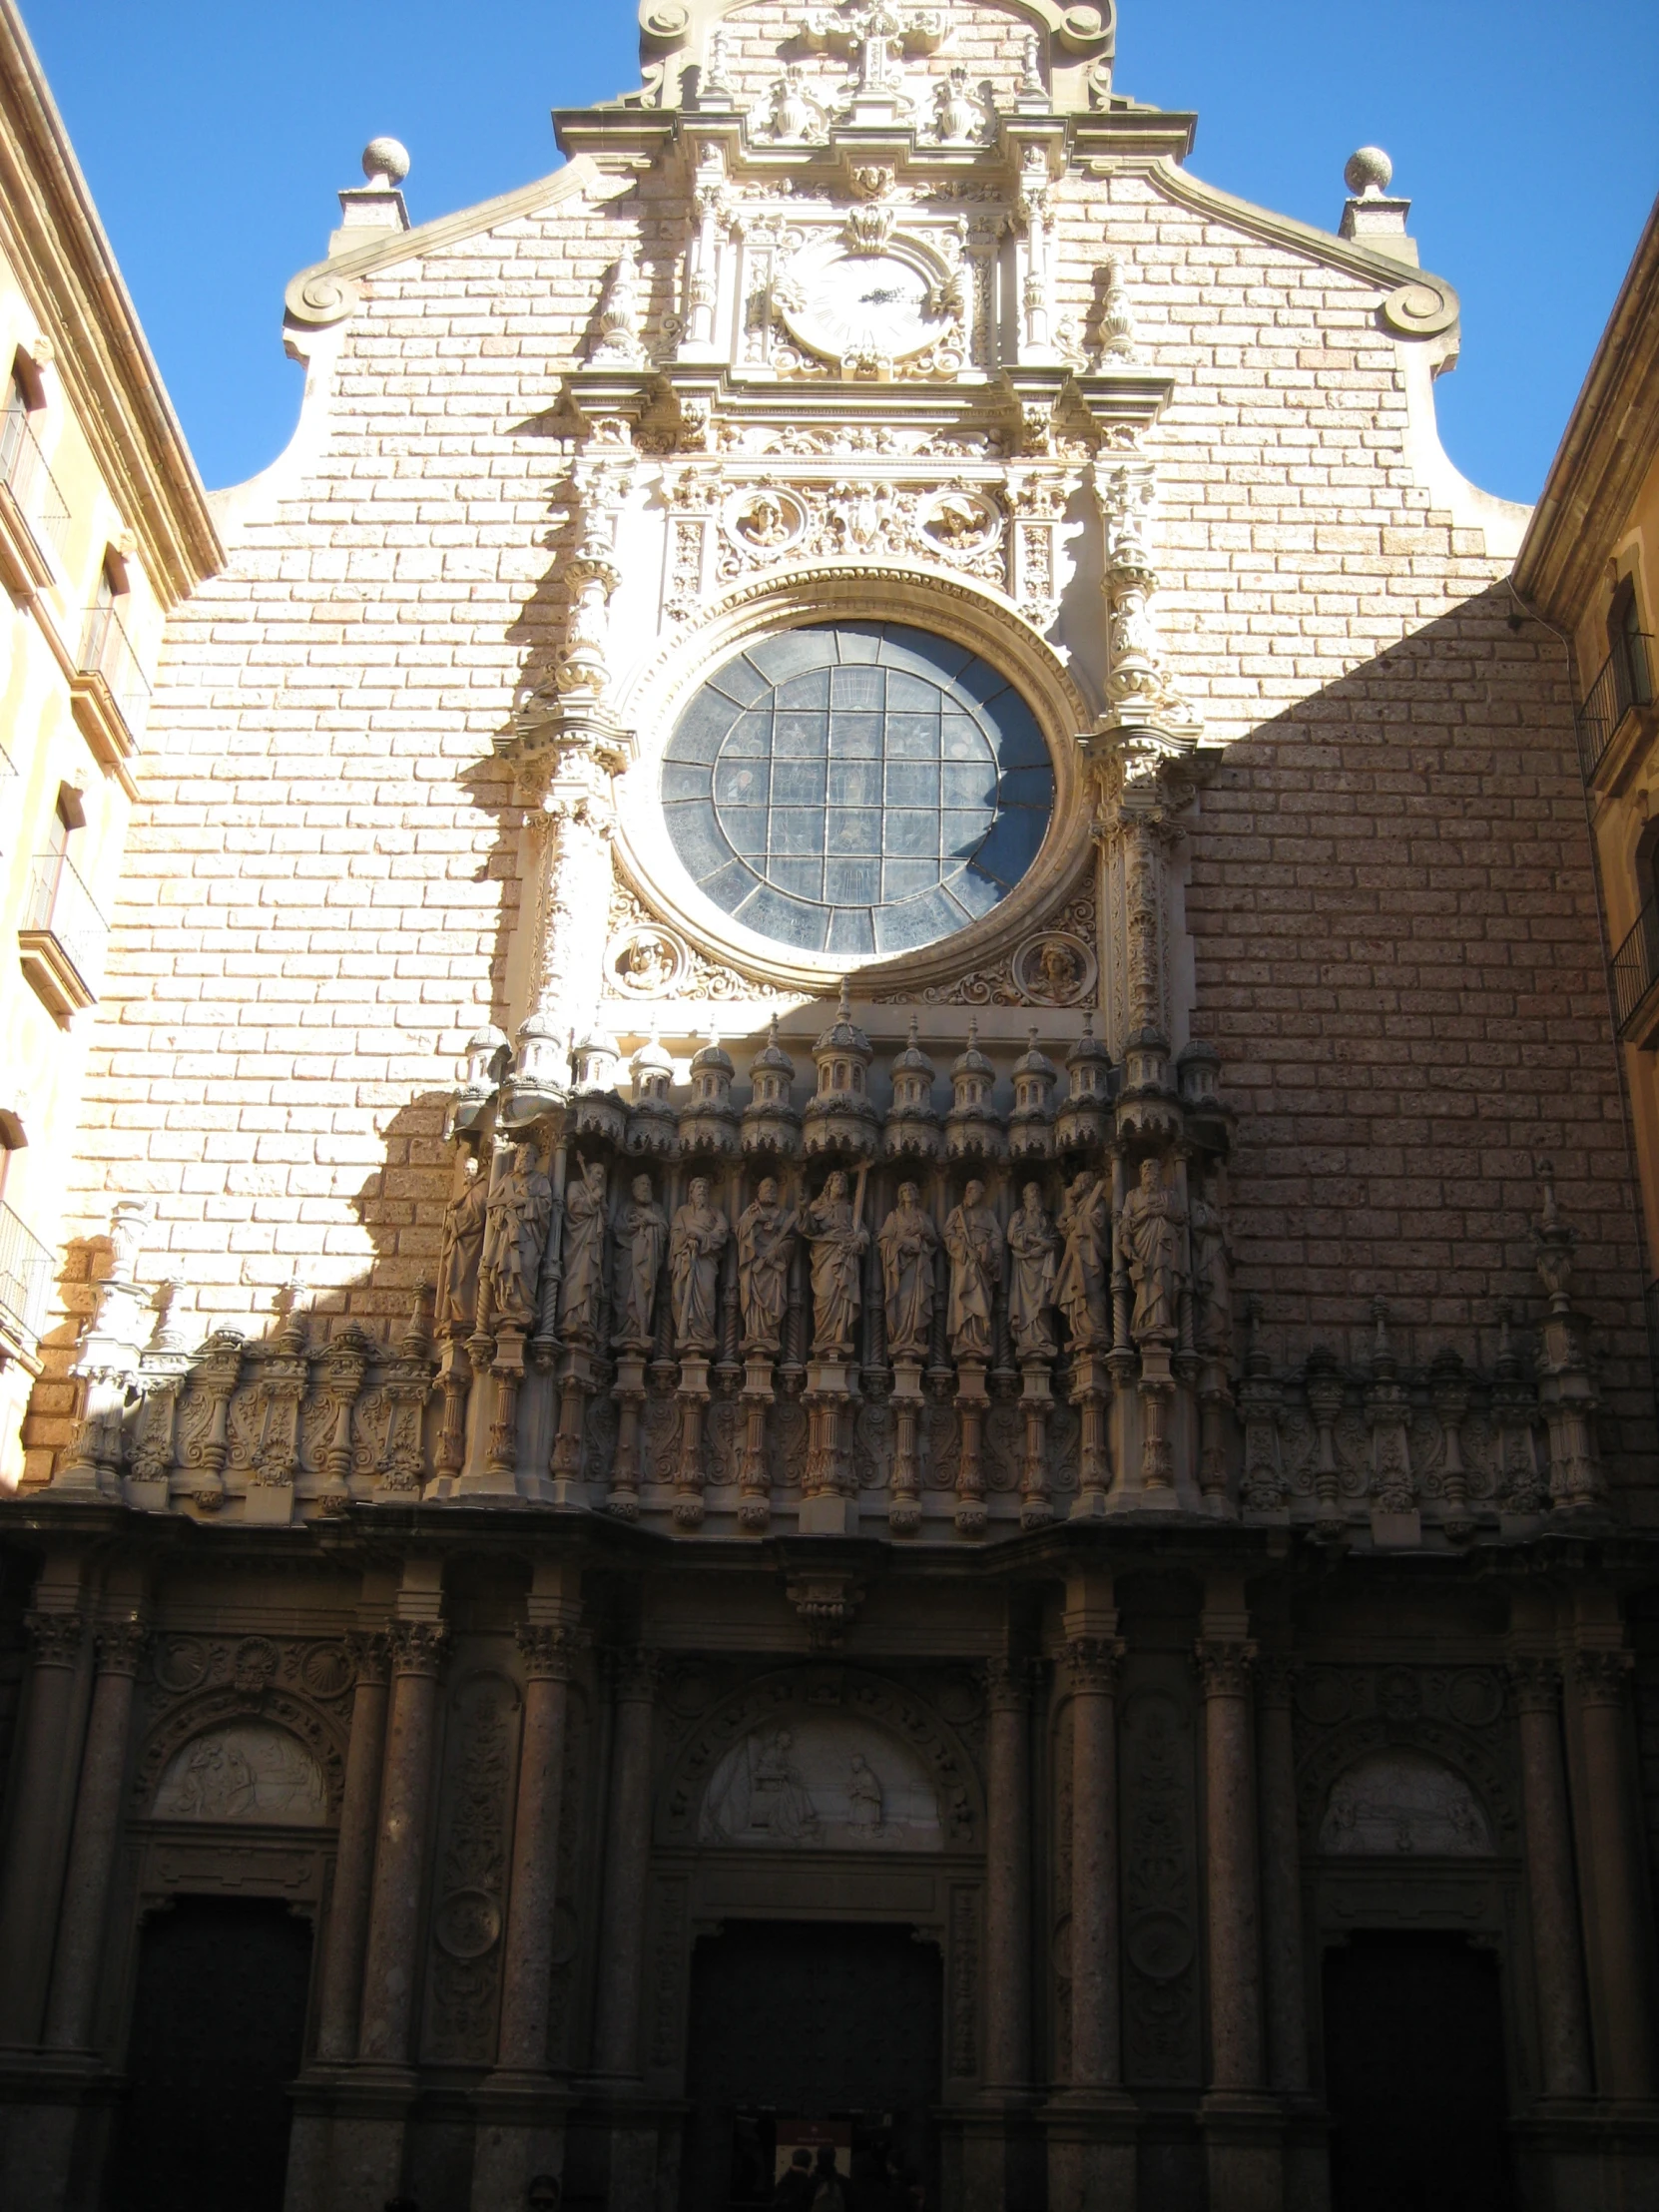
103, 532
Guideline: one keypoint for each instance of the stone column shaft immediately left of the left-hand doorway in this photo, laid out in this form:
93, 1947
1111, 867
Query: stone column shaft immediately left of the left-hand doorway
98, 1824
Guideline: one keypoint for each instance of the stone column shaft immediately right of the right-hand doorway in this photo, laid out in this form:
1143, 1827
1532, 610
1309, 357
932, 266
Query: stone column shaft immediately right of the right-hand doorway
1552, 1899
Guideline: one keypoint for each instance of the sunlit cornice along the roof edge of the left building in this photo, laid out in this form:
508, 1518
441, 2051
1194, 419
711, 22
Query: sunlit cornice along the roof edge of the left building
56, 244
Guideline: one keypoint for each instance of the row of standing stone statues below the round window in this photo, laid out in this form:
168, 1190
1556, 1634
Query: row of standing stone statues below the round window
1154, 1249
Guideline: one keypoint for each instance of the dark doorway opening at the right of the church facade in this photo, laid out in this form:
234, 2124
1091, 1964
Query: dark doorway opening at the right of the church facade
1415, 2076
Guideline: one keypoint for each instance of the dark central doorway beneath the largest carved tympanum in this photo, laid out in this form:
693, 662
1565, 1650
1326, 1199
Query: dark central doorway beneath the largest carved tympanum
811, 2036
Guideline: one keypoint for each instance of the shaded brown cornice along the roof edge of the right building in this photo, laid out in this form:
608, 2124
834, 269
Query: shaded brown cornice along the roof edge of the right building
1609, 446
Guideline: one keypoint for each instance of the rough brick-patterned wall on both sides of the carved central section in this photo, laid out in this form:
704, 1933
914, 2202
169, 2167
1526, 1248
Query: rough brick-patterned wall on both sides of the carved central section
1390, 886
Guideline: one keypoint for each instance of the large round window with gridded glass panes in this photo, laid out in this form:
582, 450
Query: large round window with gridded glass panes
857, 789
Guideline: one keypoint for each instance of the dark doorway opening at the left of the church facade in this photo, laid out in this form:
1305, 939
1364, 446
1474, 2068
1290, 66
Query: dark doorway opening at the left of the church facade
218, 2032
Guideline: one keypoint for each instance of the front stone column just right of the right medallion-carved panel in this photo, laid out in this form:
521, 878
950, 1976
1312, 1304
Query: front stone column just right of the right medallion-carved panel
1242, 2127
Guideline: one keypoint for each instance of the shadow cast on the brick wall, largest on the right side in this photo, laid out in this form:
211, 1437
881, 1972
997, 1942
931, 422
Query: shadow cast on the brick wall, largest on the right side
1399, 959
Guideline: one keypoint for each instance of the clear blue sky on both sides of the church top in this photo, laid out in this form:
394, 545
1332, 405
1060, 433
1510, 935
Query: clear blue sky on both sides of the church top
216, 136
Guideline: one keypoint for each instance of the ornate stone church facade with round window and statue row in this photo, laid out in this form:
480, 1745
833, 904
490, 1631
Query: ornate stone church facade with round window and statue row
857, 1335
